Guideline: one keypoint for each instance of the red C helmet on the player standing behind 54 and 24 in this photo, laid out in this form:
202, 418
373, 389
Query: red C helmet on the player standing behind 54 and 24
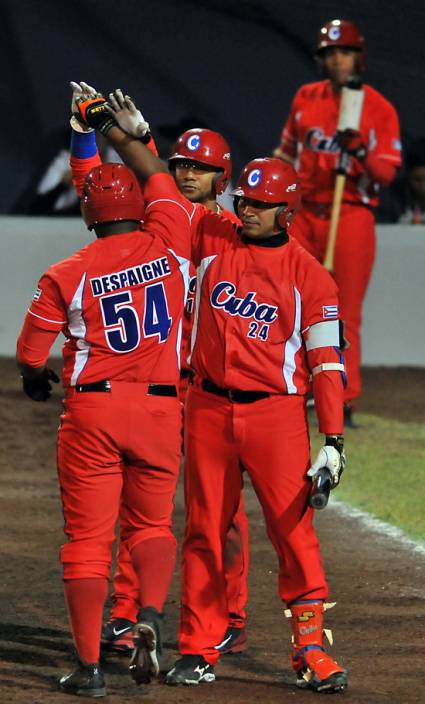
206, 147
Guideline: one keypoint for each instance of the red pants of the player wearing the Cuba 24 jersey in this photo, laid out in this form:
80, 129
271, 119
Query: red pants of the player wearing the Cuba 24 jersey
269, 438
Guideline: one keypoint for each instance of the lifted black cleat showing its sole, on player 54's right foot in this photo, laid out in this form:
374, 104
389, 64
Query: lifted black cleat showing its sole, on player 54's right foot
144, 663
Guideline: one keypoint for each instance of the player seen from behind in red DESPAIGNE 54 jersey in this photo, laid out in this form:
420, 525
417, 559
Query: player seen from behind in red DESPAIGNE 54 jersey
119, 303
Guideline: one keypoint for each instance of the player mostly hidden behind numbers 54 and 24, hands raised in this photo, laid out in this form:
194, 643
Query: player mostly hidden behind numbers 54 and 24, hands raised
201, 165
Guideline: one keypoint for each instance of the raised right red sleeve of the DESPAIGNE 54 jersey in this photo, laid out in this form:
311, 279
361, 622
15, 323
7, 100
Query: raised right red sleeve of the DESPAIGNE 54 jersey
169, 215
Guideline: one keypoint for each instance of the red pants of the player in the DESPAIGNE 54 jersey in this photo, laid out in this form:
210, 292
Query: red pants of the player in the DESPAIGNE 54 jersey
116, 451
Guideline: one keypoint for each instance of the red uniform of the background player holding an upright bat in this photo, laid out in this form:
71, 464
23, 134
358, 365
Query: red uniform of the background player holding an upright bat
309, 138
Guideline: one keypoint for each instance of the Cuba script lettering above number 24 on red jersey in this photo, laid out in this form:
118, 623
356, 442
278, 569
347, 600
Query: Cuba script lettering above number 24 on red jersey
222, 296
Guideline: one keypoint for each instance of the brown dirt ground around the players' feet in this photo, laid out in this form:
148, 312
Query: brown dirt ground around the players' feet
378, 623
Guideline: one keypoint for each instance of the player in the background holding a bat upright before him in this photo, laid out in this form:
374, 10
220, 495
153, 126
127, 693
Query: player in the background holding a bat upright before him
310, 141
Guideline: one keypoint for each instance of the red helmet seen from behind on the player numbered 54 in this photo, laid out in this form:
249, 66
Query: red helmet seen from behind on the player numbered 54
111, 193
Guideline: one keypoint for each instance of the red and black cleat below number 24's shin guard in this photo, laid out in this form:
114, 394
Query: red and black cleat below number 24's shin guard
318, 671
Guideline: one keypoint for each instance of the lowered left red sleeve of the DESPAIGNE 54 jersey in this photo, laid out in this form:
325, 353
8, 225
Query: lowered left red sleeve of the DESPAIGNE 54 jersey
46, 317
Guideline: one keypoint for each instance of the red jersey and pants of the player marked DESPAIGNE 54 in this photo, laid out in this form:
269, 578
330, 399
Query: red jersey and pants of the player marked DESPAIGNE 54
119, 303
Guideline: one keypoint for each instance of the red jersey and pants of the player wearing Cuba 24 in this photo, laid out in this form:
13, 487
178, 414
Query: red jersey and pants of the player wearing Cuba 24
266, 318
